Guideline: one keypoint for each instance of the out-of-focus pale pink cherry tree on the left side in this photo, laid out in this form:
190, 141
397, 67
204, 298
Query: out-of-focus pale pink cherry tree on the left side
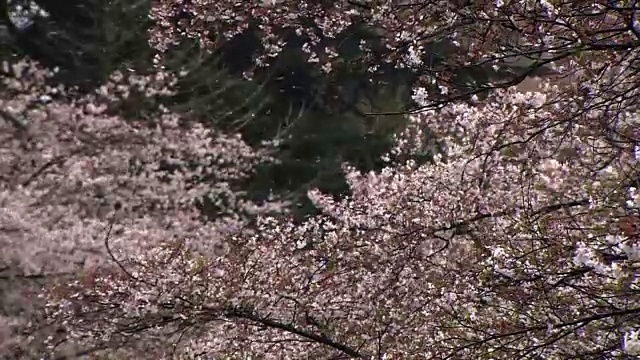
73, 171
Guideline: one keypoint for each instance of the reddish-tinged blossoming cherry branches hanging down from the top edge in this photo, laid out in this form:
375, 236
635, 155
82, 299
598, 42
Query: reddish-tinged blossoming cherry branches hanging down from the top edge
516, 38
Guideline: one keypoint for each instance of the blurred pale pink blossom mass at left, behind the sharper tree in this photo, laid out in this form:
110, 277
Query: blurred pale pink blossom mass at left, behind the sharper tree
70, 165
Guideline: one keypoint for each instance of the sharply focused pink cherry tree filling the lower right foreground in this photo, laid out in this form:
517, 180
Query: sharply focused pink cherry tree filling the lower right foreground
518, 241
